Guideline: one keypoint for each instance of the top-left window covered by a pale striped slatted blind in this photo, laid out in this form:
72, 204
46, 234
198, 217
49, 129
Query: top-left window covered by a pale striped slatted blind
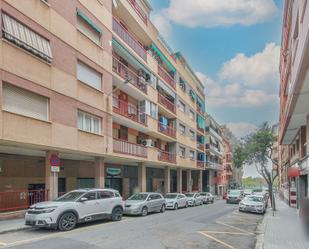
25, 38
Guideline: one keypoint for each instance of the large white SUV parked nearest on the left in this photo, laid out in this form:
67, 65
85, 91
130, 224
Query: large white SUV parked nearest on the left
77, 206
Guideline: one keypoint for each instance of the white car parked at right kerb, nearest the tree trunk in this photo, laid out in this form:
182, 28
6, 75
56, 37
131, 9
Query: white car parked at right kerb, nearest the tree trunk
252, 203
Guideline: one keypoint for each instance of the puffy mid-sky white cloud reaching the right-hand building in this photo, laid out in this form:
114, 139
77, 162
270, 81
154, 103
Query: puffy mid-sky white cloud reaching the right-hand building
260, 68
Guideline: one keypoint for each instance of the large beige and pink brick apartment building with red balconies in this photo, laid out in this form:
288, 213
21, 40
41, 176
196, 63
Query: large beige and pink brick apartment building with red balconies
92, 96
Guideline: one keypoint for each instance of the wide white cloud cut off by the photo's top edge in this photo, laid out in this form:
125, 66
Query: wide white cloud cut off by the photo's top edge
212, 13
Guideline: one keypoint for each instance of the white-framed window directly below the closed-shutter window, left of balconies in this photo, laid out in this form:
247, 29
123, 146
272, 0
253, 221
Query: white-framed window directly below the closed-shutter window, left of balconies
89, 123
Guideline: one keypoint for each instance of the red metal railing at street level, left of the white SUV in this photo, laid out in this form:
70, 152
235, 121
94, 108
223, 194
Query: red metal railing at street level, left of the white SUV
21, 199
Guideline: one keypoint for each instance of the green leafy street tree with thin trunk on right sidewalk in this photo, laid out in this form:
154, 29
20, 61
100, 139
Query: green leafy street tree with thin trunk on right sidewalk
259, 147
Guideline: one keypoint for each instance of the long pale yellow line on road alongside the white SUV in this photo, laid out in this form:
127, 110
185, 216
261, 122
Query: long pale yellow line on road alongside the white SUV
19, 242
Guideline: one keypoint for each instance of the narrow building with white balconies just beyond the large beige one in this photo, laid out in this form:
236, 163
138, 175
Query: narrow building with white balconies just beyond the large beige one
214, 155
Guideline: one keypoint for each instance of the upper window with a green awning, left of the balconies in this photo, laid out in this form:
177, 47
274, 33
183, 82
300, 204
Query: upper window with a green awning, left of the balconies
88, 27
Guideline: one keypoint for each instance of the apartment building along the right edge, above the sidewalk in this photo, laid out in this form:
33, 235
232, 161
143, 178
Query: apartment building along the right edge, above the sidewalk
294, 104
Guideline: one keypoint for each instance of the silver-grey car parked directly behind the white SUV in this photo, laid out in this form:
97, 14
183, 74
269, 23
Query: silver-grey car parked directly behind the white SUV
144, 203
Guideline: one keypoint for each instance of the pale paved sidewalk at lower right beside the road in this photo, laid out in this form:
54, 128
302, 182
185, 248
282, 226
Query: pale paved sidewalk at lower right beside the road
282, 231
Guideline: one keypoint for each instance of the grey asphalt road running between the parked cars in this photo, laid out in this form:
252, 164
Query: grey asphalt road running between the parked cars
217, 225
